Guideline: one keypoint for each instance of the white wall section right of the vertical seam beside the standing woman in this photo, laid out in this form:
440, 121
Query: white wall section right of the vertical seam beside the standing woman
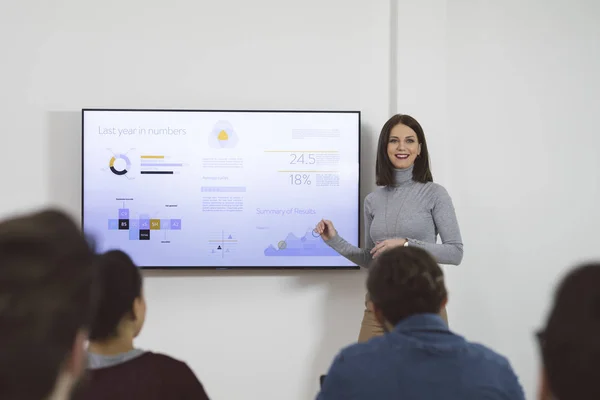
508, 92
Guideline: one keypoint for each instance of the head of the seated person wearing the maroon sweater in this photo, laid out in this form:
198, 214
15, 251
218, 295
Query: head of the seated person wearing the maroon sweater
121, 306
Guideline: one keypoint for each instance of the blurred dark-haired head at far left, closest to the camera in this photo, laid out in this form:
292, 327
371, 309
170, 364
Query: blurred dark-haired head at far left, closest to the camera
46, 302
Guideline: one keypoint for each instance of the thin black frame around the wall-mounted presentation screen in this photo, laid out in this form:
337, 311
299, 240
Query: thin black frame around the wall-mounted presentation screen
236, 268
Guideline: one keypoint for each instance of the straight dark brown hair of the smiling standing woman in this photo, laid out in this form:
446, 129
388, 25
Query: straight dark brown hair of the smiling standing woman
384, 169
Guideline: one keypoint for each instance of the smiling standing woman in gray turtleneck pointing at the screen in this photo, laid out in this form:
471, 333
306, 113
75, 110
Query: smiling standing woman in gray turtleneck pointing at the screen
407, 210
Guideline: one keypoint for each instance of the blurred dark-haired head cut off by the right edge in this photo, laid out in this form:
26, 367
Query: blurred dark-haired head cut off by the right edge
570, 342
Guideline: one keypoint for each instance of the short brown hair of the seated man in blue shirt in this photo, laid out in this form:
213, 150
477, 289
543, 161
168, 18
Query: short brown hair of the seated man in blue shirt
405, 281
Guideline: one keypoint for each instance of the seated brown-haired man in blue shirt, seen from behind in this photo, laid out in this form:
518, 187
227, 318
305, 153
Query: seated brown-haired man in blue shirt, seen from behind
418, 357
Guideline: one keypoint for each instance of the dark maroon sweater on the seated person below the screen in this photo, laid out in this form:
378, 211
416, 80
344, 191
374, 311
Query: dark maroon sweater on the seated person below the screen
150, 376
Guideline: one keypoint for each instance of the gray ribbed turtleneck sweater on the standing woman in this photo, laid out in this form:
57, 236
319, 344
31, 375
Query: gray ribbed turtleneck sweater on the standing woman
408, 210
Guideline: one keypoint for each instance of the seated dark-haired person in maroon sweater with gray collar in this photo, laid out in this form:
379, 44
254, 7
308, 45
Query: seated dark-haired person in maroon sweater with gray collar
116, 369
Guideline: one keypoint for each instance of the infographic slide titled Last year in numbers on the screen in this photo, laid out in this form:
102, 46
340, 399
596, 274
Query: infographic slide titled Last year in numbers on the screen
221, 189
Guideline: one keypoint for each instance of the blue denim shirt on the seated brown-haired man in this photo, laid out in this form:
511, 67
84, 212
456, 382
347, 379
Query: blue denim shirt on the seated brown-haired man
420, 359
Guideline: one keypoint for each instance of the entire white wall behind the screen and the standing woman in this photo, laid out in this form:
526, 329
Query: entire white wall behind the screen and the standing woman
506, 93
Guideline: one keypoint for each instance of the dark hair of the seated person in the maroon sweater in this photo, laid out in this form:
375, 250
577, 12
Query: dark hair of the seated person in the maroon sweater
119, 284
